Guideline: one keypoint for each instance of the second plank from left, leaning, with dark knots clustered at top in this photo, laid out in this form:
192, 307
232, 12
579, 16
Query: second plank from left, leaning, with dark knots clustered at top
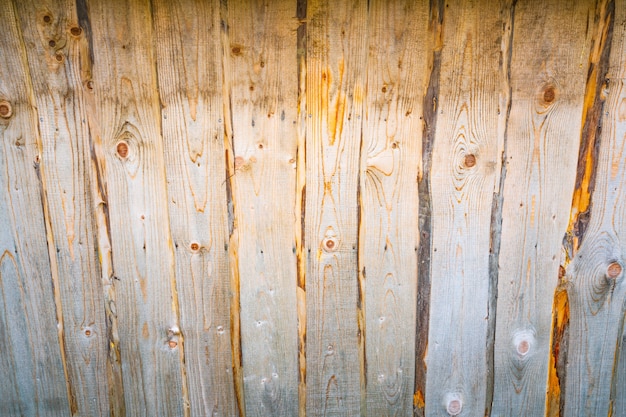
56, 40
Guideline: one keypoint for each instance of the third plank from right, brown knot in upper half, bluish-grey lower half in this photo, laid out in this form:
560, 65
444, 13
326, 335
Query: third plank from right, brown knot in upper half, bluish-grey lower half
463, 178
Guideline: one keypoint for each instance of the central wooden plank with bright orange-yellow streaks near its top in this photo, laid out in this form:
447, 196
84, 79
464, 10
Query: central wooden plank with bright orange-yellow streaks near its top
336, 57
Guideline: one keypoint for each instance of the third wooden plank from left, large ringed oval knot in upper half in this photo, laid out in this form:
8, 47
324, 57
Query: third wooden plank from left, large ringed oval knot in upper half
125, 127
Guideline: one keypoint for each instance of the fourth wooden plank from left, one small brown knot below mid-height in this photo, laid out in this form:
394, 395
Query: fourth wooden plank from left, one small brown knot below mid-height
189, 68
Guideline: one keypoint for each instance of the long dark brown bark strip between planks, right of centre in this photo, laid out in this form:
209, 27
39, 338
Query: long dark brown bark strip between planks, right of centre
430, 106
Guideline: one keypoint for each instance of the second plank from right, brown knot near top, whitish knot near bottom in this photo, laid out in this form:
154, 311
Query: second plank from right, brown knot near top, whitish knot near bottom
547, 81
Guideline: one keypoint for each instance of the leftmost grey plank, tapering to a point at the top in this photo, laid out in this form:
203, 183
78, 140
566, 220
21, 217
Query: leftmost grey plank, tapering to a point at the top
31, 368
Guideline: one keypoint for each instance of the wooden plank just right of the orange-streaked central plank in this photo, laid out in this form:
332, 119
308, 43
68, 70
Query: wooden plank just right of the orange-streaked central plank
396, 79
